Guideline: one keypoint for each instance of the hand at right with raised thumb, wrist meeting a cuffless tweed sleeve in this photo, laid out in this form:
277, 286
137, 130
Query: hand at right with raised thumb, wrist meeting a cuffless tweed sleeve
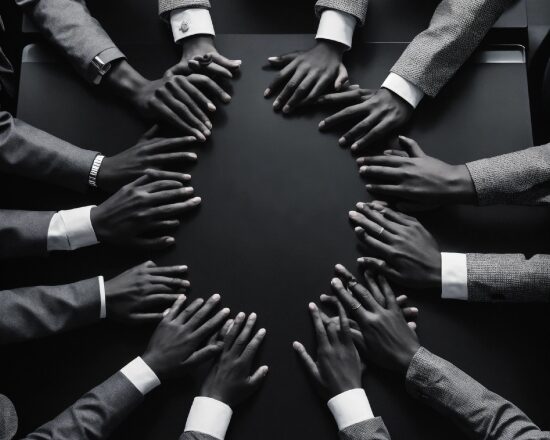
417, 177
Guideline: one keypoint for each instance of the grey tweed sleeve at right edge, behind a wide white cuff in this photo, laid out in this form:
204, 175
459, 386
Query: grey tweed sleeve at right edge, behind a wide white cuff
508, 278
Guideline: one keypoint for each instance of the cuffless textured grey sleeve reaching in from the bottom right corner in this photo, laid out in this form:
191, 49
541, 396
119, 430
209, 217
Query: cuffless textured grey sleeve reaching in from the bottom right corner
480, 413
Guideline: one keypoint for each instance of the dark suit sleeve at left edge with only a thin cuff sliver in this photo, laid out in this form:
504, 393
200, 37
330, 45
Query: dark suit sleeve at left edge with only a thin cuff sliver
35, 312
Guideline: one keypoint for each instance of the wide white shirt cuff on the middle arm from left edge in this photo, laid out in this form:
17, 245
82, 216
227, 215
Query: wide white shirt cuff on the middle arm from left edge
70, 230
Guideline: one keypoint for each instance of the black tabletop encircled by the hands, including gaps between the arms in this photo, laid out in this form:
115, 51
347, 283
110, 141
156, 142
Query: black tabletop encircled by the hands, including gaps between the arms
273, 223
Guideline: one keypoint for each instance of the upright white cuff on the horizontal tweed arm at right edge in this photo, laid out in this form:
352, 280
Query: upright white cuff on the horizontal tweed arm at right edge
454, 276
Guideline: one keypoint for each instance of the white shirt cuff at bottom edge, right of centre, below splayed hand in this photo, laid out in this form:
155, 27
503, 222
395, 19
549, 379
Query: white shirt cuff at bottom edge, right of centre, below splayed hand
350, 407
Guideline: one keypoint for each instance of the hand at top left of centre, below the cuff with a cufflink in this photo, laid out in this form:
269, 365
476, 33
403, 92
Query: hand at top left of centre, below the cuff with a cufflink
198, 49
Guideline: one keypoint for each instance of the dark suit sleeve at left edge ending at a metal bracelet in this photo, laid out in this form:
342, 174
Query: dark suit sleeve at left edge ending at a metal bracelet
29, 152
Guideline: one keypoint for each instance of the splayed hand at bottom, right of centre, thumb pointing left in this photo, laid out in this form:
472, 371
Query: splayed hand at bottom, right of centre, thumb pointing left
338, 367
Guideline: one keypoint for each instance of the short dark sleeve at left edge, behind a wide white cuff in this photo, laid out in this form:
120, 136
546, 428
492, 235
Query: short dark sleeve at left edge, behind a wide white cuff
24, 233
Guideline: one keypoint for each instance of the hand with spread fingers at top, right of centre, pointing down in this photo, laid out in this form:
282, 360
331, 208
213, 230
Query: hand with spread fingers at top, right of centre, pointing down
306, 75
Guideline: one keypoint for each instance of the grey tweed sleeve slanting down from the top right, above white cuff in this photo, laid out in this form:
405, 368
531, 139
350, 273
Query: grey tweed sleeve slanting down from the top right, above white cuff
456, 29
